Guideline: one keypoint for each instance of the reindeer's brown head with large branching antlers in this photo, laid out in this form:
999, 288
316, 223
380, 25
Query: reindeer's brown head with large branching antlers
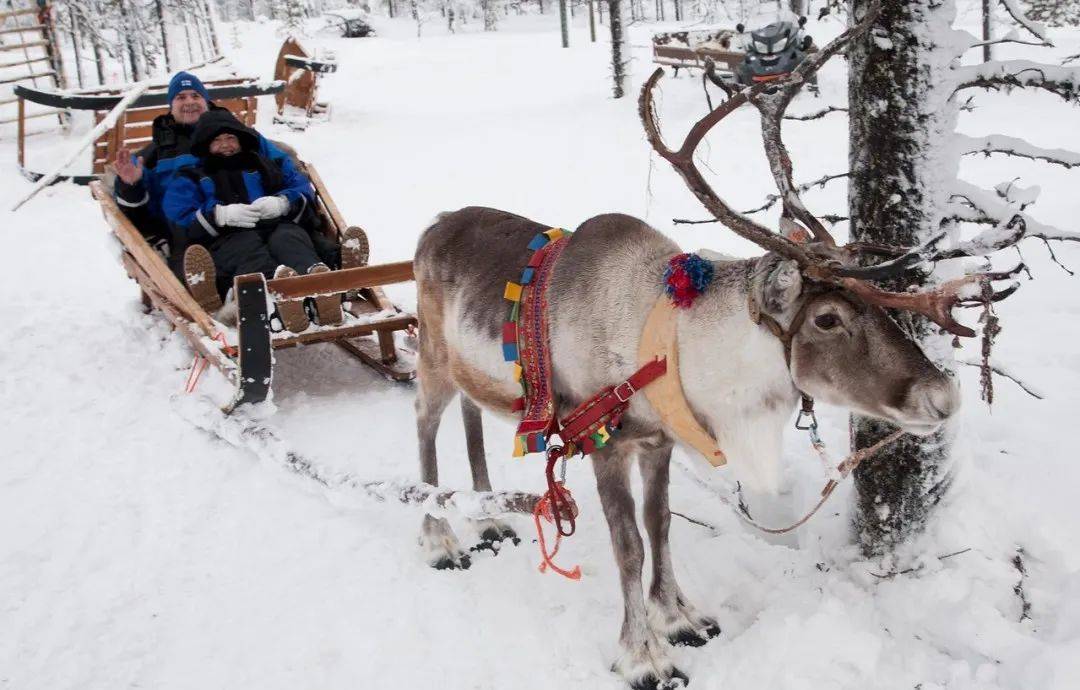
816, 296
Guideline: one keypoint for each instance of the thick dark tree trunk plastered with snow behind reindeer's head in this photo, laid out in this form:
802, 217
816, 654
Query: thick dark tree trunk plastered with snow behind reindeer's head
902, 165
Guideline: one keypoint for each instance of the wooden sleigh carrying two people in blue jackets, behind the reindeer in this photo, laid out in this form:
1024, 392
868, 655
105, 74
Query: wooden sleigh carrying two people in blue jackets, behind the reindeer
246, 355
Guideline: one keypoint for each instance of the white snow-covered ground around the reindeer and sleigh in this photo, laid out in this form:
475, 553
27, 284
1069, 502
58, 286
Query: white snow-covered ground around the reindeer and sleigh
138, 551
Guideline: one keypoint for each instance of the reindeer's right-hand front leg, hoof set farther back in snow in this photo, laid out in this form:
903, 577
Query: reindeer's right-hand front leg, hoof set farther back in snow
671, 615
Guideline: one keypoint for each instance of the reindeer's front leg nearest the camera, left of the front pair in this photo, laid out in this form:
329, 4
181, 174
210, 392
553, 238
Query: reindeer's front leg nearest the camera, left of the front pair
644, 660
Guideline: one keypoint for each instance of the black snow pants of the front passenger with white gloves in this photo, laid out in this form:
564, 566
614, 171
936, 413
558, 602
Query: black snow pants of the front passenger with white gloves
263, 251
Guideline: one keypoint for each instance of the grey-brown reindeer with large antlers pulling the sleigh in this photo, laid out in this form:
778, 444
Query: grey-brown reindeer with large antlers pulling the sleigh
801, 320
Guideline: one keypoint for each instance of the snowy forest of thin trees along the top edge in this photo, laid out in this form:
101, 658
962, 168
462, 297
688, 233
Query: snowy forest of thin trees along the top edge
121, 40
